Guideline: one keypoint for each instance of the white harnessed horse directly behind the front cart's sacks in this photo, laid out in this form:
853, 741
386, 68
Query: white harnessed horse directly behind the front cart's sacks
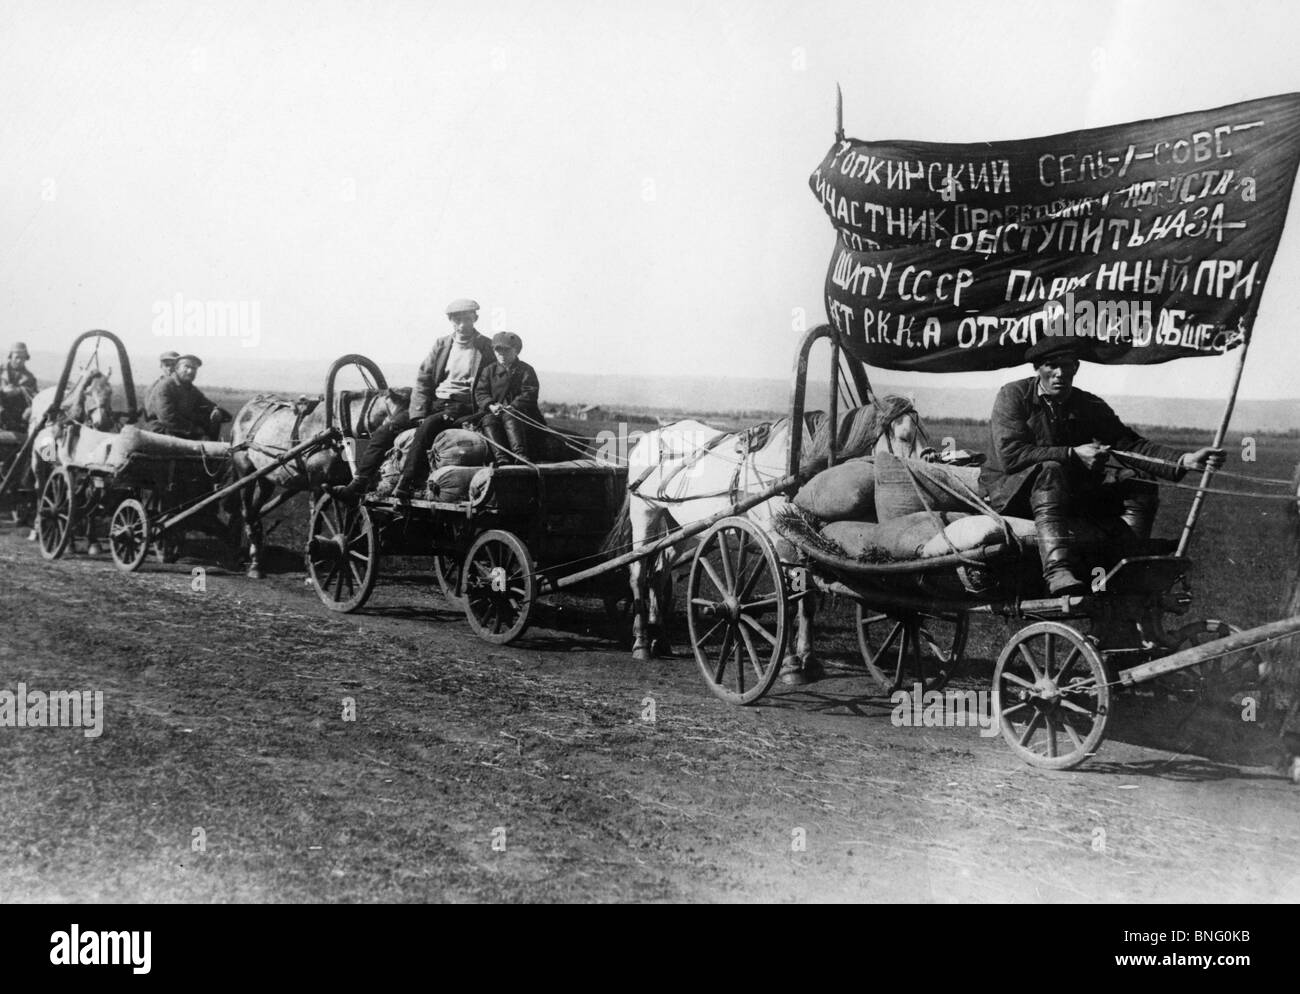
687, 472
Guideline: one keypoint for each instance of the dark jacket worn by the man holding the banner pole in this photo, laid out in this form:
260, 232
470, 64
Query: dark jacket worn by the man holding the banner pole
1025, 436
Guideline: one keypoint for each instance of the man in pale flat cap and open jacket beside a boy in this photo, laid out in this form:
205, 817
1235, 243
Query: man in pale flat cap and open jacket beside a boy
443, 394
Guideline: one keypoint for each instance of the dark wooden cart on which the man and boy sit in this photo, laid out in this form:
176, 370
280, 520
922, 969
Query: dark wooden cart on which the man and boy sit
521, 531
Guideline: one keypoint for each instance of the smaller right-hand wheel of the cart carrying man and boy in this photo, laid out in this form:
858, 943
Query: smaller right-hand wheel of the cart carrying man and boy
500, 587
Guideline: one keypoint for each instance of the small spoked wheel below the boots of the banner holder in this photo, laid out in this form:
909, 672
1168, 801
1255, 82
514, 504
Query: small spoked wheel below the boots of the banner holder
1050, 691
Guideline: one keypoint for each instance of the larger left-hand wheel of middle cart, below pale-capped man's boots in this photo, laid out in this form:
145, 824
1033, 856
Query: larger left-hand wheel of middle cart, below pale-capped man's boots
343, 554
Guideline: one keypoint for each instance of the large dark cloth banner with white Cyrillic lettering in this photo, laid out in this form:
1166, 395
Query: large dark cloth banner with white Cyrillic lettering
1150, 241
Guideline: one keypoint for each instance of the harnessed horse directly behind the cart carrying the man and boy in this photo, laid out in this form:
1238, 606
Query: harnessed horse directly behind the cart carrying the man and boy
268, 427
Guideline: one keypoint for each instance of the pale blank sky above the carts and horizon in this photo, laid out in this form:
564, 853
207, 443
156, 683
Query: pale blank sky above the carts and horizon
625, 185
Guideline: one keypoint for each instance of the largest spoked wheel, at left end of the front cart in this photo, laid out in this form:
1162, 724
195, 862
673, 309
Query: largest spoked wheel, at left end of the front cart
736, 581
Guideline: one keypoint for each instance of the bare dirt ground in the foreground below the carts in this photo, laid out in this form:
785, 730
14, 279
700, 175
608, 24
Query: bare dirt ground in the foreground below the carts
257, 748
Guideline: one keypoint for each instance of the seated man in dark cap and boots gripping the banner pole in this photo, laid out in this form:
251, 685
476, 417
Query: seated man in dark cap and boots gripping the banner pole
1050, 453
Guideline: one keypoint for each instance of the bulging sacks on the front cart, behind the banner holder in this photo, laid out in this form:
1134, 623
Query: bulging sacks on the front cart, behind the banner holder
873, 510
